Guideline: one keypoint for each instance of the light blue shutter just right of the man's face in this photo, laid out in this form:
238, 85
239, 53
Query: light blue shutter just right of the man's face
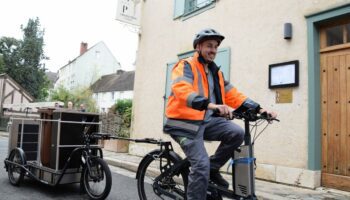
222, 60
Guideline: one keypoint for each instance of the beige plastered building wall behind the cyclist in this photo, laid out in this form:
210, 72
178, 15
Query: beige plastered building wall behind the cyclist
254, 32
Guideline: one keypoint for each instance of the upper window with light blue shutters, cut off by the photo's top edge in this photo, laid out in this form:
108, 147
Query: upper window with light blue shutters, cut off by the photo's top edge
189, 8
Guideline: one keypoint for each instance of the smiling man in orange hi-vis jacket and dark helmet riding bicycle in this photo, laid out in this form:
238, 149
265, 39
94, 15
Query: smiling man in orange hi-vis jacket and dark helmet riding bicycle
198, 90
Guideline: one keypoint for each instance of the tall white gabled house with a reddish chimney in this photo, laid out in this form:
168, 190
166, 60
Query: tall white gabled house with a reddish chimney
88, 67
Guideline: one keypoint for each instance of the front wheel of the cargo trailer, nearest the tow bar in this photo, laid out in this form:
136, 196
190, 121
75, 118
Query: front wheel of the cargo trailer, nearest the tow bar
97, 179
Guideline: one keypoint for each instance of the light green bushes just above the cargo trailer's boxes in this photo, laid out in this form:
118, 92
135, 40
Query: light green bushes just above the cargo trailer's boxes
77, 96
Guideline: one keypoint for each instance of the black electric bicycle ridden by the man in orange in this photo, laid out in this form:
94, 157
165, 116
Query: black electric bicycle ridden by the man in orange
163, 174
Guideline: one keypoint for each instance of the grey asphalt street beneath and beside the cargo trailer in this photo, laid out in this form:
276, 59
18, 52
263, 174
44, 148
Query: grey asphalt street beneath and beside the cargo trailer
123, 188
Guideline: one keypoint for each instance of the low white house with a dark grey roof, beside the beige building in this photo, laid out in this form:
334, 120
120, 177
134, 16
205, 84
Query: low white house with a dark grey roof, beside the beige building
110, 88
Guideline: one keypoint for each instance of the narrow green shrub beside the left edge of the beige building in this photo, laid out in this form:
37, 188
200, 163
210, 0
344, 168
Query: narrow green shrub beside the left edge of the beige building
124, 109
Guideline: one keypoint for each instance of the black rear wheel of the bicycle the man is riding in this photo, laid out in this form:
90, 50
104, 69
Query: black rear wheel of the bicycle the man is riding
151, 168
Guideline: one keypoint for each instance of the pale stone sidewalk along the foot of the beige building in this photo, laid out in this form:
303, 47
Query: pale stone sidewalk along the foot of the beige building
264, 190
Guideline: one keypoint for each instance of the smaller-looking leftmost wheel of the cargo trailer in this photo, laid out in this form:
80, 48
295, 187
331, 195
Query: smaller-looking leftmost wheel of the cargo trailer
16, 172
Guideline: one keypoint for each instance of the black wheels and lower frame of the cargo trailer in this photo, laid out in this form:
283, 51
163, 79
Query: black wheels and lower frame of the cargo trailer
95, 175
